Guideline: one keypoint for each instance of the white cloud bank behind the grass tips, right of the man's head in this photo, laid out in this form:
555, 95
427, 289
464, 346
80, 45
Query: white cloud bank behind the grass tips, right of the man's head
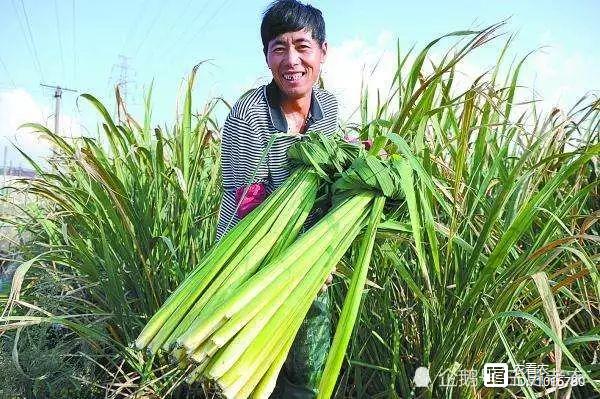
558, 75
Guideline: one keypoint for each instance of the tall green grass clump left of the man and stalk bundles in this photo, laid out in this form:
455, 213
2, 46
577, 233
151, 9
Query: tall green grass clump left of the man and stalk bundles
121, 224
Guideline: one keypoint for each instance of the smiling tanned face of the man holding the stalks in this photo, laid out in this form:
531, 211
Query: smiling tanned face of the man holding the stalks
295, 61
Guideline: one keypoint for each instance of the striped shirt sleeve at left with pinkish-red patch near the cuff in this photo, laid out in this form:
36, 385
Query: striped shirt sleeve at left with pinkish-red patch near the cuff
244, 165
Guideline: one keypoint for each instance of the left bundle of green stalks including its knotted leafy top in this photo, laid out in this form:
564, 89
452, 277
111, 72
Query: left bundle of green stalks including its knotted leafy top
256, 240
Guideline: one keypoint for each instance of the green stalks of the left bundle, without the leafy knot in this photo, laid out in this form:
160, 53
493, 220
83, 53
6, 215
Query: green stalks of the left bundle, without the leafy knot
259, 236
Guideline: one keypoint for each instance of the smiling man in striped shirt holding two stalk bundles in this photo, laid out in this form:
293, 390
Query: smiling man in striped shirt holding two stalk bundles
293, 37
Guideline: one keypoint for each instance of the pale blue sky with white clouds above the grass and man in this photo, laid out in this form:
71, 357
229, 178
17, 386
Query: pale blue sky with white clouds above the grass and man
89, 46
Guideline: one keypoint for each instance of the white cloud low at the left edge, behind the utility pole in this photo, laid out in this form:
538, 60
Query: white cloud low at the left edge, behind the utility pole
17, 107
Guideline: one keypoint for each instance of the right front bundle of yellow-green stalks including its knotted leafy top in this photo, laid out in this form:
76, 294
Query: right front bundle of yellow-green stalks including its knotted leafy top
240, 342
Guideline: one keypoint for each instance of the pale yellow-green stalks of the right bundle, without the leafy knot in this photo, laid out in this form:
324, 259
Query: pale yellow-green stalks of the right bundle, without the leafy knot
285, 289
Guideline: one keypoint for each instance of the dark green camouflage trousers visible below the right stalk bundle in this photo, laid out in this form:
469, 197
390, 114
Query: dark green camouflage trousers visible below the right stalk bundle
301, 372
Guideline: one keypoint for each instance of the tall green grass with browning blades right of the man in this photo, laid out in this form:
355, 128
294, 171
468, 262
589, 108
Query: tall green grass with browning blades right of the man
493, 256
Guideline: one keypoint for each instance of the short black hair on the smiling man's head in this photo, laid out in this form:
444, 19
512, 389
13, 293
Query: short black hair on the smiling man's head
284, 16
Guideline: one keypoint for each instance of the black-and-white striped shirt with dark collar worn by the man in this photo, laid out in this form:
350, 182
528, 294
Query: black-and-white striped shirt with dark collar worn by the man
253, 121
